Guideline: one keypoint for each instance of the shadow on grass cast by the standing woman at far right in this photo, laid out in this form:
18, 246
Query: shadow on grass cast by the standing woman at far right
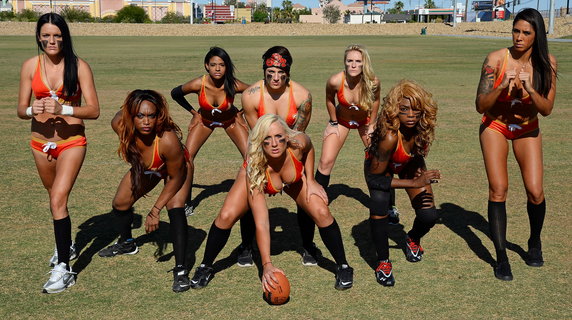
459, 220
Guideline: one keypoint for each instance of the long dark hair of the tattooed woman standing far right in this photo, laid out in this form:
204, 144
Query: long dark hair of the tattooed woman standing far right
543, 69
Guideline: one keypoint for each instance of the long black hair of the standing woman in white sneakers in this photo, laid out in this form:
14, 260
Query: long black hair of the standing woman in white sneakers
70, 58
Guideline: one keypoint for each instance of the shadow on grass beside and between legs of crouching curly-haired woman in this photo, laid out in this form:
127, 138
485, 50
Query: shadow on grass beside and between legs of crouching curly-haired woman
362, 239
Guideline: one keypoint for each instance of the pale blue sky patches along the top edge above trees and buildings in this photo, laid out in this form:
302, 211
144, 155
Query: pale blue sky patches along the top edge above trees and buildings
411, 4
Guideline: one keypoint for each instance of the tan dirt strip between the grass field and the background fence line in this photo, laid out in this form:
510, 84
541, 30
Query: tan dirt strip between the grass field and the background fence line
562, 27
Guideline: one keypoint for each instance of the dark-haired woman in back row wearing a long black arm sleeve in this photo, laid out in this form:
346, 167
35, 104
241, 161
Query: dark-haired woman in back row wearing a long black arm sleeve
216, 91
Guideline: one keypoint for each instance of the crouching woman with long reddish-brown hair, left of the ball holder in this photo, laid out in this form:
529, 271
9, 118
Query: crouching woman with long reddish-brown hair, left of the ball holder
150, 141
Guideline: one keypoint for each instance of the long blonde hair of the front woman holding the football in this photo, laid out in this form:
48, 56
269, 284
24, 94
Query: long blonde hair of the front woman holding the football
257, 162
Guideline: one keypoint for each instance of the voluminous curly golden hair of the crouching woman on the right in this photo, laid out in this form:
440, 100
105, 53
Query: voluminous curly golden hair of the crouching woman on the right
421, 100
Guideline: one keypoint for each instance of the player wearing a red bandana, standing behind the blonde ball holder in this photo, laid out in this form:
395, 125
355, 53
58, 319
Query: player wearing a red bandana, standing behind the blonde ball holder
278, 94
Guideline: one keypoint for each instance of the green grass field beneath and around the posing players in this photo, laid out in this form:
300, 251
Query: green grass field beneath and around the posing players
454, 280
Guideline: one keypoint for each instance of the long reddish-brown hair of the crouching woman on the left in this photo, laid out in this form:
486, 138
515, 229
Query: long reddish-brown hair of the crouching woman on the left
127, 142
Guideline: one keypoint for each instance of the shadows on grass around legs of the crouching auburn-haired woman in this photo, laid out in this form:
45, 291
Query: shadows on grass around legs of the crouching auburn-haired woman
99, 232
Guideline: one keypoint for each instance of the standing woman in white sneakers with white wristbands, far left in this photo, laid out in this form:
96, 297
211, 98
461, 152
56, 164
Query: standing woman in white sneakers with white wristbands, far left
51, 88
